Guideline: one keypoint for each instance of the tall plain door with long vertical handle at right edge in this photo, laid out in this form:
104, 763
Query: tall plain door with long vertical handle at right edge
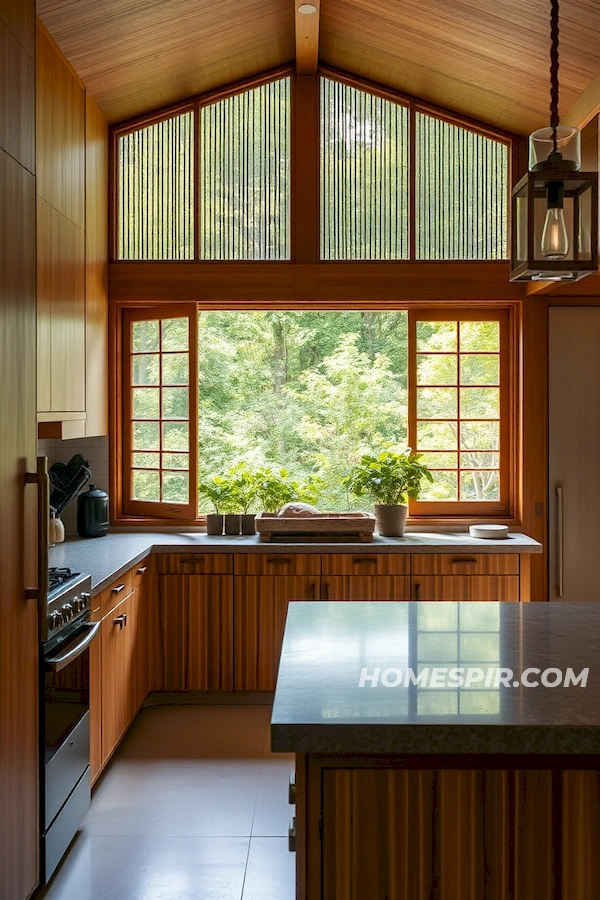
574, 452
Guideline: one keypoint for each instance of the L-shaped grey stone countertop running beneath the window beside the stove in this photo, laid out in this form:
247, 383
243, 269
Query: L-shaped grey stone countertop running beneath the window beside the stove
108, 557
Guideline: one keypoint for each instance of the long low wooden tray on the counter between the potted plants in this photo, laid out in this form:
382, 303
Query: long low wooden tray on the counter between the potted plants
338, 527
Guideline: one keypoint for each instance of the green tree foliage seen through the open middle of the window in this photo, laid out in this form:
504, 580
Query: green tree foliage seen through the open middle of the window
308, 391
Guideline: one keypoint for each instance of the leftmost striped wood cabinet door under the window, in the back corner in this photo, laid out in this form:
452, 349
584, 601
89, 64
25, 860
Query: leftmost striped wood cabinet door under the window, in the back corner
196, 632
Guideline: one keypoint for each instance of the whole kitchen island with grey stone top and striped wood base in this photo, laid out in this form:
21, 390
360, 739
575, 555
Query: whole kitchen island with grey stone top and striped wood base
413, 786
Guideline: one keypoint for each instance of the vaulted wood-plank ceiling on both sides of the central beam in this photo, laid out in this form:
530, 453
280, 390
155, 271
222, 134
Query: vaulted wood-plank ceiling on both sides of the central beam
484, 58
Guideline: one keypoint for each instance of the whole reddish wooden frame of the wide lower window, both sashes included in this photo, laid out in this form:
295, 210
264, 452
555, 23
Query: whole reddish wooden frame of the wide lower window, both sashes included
429, 513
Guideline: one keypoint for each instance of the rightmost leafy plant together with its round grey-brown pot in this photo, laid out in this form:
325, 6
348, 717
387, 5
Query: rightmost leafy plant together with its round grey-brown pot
390, 479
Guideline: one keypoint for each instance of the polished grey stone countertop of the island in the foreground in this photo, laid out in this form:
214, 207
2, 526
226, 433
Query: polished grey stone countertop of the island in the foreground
321, 708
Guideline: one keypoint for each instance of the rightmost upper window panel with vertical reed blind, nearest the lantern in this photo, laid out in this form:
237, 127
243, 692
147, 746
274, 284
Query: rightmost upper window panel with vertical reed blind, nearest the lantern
461, 193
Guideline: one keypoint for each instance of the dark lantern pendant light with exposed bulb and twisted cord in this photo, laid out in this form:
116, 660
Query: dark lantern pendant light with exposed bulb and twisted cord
554, 206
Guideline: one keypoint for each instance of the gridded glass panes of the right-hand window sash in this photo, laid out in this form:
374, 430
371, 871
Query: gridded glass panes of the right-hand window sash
473, 473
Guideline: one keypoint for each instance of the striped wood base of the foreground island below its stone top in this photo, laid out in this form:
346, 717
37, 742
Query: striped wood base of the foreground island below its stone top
447, 828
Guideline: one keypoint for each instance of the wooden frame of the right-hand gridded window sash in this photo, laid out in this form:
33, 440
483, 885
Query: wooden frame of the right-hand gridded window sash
504, 508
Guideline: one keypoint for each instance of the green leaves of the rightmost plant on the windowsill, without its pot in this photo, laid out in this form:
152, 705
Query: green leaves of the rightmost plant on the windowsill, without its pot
390, 479
